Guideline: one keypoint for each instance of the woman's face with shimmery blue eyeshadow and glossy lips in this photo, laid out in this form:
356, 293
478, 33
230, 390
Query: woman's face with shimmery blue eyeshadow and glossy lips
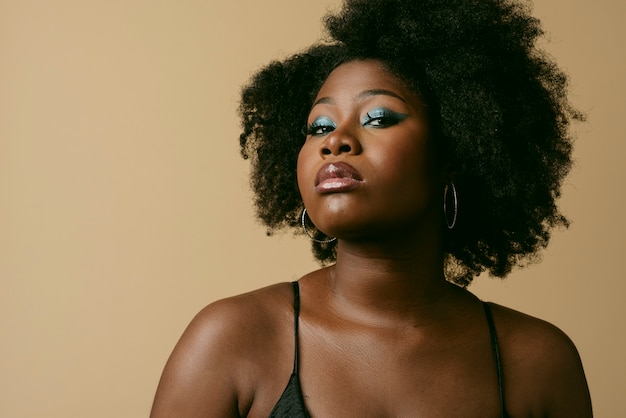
368, 167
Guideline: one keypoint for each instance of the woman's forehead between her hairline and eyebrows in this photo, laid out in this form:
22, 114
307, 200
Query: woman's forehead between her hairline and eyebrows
353, 77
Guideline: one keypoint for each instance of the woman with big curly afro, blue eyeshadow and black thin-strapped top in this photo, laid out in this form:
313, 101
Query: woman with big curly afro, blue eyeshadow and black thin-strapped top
435, 141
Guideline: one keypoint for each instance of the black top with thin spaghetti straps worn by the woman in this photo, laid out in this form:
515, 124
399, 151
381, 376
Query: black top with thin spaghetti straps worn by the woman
291, 402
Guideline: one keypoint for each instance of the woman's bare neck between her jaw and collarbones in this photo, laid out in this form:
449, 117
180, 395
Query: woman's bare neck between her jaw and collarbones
389, 281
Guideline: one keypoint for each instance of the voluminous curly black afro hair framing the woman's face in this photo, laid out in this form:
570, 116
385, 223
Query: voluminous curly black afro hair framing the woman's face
498, 105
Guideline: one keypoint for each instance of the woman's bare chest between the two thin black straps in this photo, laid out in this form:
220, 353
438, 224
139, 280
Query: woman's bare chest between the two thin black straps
430, 375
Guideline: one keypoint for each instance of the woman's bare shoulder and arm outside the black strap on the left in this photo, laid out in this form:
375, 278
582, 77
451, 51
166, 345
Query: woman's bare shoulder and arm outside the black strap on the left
220, 357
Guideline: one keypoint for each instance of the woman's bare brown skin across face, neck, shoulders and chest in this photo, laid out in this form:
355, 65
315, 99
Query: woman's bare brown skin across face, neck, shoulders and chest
382, 333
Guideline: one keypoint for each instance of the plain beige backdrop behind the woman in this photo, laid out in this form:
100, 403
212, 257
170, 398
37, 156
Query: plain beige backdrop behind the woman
124, 206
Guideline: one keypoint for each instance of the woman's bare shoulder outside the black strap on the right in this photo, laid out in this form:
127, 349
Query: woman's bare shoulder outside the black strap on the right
543, 373
